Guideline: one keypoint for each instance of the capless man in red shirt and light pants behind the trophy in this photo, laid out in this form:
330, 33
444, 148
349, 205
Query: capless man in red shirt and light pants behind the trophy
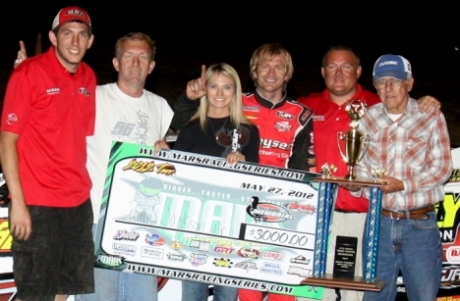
341, 69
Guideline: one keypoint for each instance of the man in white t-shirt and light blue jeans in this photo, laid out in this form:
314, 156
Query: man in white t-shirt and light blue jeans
125, 112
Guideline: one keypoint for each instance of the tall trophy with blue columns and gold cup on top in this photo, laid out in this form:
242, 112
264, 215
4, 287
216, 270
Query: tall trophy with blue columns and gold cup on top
352, 146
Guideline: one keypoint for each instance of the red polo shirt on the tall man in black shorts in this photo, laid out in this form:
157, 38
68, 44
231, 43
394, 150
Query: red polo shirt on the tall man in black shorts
52, 111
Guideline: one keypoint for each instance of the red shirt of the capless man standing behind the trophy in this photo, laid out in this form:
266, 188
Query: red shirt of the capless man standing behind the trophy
329, 119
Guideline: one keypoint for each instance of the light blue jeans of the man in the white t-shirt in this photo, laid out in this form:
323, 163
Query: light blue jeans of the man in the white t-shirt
119, 286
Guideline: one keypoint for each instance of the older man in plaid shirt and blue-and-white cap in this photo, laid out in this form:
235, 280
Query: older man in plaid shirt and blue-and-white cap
414, 150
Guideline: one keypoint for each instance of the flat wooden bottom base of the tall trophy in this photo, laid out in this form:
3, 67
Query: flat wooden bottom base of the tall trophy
356, 283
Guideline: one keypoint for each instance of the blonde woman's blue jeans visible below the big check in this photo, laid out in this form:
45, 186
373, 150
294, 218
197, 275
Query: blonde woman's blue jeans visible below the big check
196, 291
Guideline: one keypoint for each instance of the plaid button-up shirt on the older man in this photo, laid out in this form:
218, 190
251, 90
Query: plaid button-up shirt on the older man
414, 149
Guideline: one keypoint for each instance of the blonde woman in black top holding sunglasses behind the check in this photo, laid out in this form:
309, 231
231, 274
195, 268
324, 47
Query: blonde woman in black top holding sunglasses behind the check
219, 129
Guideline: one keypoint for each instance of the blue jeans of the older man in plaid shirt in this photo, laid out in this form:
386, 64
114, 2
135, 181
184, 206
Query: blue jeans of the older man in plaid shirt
414, 246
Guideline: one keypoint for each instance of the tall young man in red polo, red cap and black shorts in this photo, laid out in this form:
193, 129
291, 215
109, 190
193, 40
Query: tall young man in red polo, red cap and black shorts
48, 112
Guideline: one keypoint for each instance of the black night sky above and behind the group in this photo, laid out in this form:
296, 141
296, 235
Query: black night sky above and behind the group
191, 34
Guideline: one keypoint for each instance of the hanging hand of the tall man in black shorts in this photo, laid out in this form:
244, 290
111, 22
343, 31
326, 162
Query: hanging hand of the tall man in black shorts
20, 221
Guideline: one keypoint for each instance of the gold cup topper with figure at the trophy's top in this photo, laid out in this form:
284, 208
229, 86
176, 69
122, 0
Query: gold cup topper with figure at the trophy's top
356, 143
